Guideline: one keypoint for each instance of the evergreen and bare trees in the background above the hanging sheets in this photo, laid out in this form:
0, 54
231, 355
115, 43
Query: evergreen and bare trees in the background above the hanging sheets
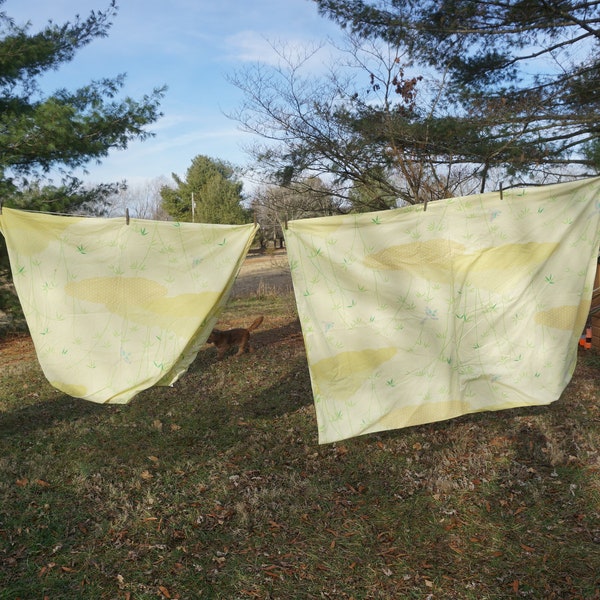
425, 100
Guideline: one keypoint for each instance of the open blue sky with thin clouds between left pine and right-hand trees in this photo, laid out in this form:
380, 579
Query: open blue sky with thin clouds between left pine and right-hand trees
191, 46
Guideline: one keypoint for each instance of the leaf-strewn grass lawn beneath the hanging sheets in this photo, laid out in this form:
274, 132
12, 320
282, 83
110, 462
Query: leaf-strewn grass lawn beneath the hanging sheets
217, 488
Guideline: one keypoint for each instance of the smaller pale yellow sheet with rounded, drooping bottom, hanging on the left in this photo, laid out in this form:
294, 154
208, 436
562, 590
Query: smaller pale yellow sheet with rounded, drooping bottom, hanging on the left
115, 308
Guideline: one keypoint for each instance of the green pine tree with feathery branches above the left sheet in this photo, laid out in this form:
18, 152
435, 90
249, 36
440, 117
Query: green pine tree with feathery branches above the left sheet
66, 129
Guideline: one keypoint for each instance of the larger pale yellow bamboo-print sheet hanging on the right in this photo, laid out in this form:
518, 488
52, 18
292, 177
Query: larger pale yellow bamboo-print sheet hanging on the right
476, 304
